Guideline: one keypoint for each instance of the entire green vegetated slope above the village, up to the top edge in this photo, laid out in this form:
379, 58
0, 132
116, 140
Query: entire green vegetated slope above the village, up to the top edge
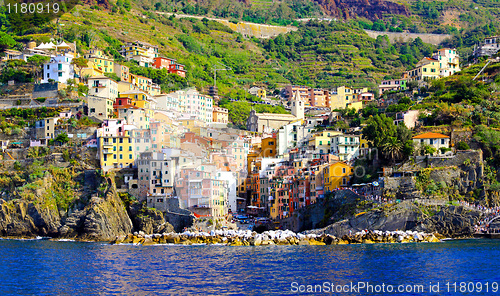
318, 54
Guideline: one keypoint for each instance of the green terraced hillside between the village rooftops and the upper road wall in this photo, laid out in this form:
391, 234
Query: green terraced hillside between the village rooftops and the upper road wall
318, 54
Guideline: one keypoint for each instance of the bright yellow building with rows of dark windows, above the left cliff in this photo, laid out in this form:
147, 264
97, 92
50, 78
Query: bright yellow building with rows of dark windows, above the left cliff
116, 151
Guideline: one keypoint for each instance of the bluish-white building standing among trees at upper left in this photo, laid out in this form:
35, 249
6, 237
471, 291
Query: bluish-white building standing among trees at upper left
59, 69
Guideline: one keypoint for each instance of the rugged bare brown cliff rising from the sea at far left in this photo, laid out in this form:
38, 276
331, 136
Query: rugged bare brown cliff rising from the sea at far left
41, 214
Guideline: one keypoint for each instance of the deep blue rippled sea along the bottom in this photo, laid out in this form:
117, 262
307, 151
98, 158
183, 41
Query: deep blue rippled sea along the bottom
42, 267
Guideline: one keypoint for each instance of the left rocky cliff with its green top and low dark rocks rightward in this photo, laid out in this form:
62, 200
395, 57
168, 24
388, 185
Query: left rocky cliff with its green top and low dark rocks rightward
71, 204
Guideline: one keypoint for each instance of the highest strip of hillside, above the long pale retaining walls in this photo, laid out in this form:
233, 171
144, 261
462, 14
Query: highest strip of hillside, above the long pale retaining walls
414, 15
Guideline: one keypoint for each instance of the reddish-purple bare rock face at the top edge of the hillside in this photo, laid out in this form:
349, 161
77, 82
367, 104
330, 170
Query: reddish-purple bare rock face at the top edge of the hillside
370, 9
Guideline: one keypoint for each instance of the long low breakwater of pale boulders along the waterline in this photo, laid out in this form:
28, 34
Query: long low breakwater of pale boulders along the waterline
279, 237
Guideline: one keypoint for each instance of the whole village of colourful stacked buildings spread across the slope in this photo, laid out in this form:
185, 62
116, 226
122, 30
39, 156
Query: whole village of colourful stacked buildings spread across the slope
181, 145
